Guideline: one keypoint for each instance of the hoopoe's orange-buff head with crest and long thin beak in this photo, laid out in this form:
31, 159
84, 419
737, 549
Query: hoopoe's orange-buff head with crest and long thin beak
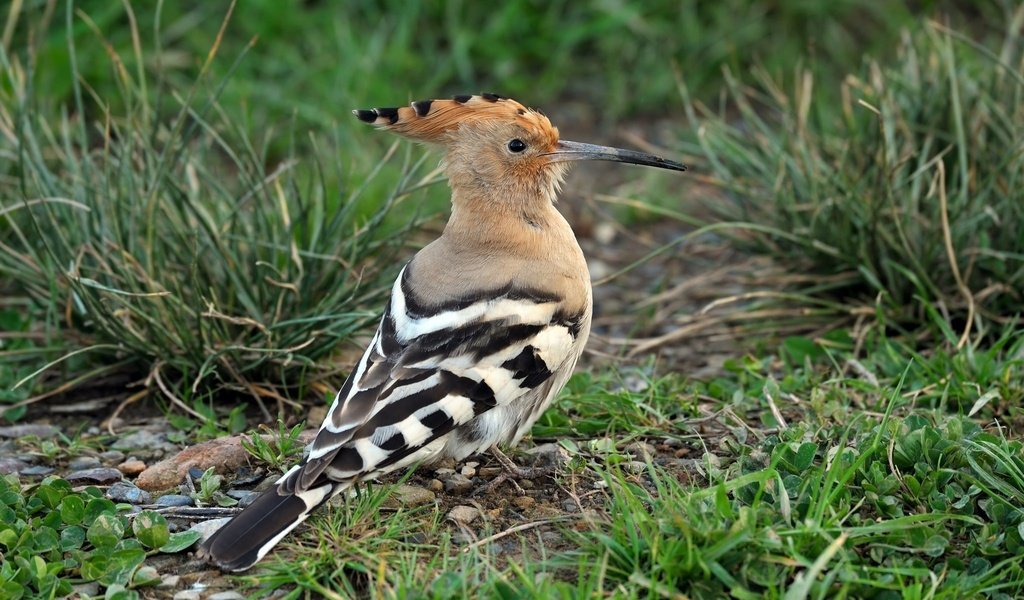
495, 144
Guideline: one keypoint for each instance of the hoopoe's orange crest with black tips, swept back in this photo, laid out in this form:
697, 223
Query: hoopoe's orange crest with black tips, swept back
436, 121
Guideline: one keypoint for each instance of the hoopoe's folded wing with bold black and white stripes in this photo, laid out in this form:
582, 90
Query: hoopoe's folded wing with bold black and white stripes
430, 371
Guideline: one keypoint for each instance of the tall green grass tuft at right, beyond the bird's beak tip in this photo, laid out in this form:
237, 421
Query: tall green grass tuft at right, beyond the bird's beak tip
907, 197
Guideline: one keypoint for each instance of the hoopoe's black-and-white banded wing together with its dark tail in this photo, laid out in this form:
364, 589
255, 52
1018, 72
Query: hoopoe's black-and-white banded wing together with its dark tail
439, 381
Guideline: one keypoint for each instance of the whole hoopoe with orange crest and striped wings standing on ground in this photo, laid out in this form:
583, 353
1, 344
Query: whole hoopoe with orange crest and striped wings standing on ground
483, 329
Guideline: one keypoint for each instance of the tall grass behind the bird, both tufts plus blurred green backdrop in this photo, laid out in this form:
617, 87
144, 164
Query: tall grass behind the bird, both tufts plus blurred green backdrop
215, 196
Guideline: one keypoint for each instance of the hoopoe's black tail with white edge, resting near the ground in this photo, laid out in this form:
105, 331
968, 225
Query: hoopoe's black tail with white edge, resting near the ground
248, 537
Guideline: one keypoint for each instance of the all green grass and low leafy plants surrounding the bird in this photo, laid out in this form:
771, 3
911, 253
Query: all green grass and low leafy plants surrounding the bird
170, 228
